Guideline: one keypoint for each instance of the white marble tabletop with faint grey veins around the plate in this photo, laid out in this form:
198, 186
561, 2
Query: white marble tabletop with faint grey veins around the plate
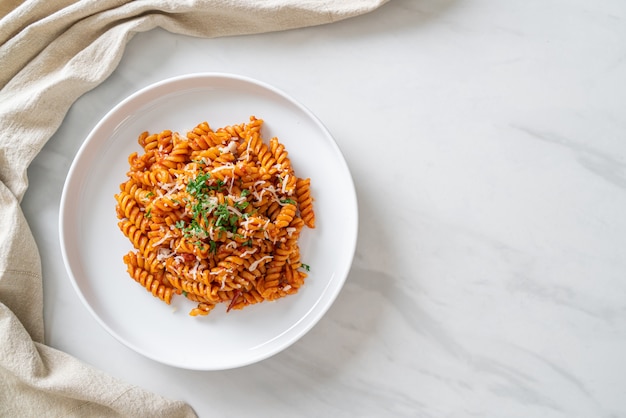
487, 143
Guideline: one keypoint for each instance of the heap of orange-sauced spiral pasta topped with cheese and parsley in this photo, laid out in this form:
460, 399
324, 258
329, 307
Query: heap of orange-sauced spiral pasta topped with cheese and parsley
215, 215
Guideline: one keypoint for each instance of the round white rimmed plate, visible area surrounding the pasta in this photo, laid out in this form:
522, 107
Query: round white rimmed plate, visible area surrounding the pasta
93, 246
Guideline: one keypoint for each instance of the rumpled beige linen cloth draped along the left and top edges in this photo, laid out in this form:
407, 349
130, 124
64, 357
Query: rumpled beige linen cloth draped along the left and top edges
53, 51
